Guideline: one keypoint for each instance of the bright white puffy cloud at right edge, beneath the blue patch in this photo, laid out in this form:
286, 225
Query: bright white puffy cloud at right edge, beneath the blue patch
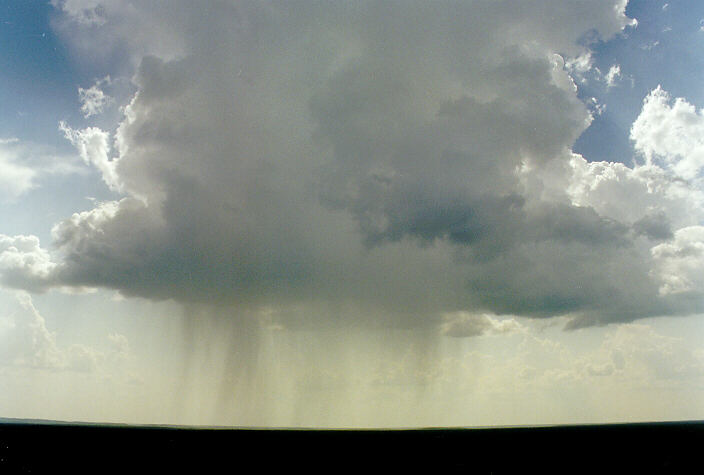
670, 133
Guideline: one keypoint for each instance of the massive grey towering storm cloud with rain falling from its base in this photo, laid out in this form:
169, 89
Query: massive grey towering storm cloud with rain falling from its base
402, 159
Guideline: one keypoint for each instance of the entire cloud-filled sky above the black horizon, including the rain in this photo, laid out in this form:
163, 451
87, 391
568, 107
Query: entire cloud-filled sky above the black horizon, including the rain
358, 214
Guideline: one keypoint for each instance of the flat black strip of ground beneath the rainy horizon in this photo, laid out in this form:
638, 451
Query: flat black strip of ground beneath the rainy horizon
42, 447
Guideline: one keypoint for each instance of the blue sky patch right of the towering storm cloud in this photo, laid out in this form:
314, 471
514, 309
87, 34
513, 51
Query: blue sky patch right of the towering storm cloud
661, 50
